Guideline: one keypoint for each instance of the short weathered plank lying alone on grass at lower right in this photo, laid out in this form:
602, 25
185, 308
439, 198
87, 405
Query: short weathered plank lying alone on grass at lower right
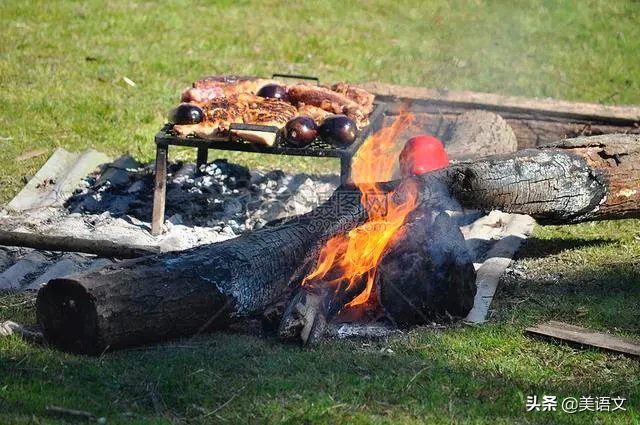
587, 337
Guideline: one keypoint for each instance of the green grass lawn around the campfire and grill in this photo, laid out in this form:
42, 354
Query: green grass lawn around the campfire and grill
62, 70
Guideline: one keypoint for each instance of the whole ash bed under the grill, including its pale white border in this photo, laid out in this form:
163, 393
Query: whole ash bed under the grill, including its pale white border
222, 201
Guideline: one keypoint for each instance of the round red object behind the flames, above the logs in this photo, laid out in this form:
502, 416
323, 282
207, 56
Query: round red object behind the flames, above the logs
422, 154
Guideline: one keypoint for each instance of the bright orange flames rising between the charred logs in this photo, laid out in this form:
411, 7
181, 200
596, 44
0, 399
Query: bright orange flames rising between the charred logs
347, 260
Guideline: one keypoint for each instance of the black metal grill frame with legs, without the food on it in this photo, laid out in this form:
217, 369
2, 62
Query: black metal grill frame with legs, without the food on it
318, 148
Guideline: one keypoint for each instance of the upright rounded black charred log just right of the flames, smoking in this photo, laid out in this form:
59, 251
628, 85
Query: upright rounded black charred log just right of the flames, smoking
427, 274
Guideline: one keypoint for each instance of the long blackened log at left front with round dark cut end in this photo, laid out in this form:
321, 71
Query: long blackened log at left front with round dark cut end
160, 297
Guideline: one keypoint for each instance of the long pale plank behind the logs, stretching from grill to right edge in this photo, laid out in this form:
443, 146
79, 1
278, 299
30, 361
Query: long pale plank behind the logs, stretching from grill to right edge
489, 101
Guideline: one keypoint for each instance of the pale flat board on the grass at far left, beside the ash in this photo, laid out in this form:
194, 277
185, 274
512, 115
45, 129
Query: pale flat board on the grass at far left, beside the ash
57, 179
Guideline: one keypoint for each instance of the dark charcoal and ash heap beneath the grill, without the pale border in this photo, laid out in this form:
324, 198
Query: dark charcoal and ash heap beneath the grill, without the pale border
227, 198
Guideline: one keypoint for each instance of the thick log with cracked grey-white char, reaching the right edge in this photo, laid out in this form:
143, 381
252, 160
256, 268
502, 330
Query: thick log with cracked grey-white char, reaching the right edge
574, 180
